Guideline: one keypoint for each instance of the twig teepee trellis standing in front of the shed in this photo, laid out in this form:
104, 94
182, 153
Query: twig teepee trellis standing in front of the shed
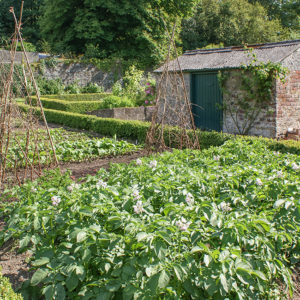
176, 111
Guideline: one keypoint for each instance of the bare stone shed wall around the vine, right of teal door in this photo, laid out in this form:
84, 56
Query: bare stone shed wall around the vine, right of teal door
265, 124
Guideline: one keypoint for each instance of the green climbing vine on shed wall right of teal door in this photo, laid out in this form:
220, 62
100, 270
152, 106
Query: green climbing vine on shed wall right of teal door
255, 92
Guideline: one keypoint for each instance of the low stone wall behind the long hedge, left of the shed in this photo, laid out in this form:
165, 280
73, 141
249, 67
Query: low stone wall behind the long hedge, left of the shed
126, 113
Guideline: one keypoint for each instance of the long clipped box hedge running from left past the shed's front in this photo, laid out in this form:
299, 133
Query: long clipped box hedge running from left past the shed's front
137, 130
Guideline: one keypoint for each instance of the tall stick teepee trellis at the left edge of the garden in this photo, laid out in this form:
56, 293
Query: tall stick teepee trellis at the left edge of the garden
21, 139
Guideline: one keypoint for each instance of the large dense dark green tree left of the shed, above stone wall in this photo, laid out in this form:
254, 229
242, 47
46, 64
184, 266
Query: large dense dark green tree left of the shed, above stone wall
128, 29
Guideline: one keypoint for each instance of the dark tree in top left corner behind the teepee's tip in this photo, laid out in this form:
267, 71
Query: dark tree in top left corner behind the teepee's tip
30, 28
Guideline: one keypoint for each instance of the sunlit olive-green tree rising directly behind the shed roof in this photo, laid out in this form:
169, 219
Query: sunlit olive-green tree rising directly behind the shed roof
231, 22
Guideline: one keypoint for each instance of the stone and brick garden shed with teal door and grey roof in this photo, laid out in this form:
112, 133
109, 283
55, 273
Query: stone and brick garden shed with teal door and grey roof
208, 100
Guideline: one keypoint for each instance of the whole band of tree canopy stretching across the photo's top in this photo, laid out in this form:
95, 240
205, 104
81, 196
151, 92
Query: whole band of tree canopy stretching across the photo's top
136, 30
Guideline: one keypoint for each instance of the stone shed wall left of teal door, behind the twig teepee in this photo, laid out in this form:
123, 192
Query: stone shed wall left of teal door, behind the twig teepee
172, 106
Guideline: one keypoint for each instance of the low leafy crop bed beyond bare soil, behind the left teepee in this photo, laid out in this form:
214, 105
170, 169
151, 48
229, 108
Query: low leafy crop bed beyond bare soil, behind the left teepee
70, 146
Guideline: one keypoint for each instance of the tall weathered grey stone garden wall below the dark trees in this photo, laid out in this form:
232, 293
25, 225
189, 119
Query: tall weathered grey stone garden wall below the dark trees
83, 74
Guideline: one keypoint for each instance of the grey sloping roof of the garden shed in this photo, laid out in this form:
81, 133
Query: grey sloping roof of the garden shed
235, 57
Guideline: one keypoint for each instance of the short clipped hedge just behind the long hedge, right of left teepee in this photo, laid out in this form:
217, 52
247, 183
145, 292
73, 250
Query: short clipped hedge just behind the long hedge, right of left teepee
80, 107
